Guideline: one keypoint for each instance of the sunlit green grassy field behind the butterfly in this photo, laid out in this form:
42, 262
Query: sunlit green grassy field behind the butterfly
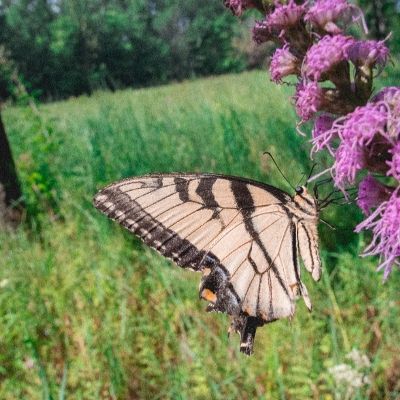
87, 312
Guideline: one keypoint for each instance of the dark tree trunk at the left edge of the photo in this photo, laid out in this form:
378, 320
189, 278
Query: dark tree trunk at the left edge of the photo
10, 189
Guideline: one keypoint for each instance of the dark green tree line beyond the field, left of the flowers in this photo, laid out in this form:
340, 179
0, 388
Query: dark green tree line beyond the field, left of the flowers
69, 47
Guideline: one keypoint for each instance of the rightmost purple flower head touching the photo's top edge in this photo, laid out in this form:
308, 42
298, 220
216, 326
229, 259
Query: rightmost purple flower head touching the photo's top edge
324, 14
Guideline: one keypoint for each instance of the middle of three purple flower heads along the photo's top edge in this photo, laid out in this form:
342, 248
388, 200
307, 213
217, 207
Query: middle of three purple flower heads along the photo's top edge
285, 16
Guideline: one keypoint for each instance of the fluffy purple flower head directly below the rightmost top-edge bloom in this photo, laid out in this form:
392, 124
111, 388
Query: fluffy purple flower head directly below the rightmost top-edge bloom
323, 56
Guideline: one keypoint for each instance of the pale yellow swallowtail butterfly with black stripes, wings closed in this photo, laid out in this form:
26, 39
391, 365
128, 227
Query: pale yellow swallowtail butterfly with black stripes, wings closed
245, 237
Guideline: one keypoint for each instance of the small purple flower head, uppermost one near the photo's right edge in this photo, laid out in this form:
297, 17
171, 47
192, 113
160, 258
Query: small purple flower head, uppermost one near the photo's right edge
368, 52
